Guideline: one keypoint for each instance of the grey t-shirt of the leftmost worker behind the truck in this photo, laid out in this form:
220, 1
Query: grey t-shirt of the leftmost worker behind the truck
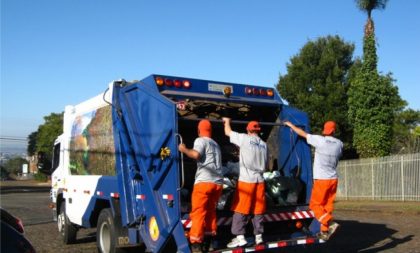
209, 167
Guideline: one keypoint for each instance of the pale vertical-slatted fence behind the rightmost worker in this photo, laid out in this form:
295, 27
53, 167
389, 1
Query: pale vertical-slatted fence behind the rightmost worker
387, 178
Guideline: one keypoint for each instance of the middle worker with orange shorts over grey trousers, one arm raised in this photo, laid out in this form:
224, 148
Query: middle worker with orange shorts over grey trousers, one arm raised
249, 199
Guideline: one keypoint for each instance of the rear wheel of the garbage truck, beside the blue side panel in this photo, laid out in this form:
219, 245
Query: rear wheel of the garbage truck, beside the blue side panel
106, 236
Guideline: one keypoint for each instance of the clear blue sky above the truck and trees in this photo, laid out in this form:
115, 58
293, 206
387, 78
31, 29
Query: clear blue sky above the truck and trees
61, 52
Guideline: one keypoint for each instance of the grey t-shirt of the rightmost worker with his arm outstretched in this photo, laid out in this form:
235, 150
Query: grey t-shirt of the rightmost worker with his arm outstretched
327, 153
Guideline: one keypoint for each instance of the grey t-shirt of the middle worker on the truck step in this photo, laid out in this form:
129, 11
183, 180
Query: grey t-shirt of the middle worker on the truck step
252, 157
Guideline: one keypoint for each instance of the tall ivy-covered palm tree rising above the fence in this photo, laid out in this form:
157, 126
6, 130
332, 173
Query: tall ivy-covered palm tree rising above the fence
373, 99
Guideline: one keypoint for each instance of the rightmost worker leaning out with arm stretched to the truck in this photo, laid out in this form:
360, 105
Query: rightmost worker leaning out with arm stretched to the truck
328, 151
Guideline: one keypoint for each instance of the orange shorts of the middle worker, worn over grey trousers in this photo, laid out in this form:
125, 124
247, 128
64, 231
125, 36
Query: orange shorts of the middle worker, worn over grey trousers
249, 198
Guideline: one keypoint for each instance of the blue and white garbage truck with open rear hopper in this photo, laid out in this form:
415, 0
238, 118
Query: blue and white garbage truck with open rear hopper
116, 166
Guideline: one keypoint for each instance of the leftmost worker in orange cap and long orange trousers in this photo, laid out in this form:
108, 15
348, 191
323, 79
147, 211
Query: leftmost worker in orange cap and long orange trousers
207, 186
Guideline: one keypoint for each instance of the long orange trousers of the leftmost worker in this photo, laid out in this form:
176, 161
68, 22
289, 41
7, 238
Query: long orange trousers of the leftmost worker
203, 211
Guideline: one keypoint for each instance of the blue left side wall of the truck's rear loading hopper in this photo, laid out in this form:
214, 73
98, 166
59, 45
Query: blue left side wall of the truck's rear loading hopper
147, 165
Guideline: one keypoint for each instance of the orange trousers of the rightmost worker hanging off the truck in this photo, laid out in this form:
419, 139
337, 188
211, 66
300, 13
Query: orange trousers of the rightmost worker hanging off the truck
322, 200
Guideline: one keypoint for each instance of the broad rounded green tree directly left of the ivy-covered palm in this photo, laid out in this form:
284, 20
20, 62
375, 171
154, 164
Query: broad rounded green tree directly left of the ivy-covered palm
317, 83
